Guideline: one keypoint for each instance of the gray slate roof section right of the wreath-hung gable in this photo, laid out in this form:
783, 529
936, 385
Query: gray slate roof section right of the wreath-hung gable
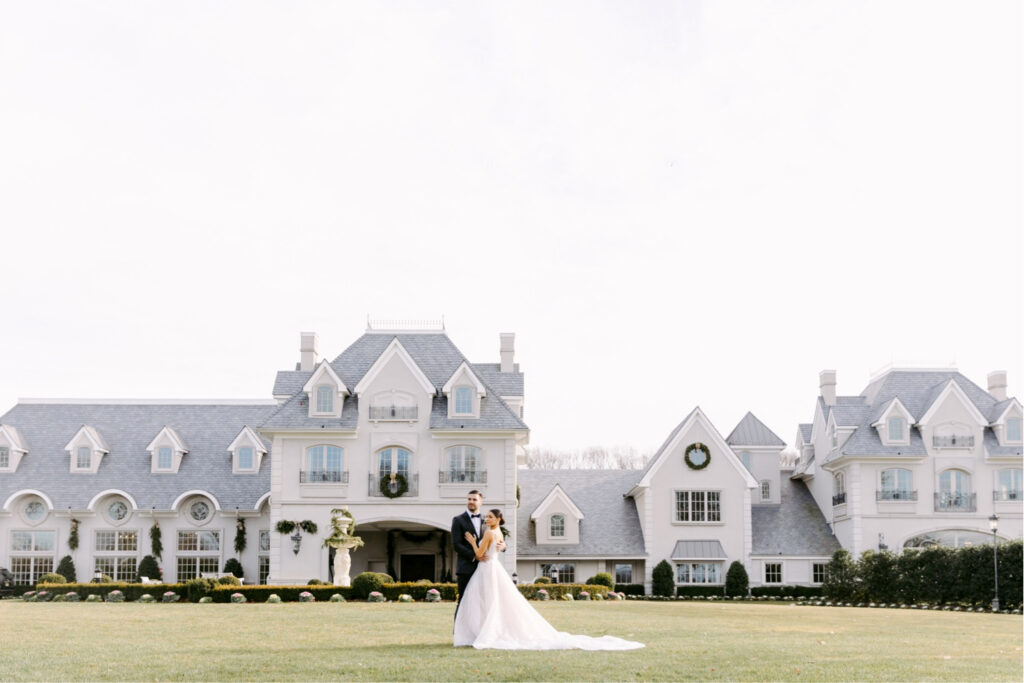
796, 527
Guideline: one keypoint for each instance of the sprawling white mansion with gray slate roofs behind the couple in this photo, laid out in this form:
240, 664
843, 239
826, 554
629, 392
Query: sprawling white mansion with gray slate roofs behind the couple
401, 426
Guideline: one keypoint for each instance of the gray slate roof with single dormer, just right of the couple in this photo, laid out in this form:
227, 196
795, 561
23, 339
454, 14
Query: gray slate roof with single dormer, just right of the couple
611, 527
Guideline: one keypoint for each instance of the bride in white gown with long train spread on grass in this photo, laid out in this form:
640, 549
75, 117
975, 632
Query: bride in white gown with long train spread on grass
495, 615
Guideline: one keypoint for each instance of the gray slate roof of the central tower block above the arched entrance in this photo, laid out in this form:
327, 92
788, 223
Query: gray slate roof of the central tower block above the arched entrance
436, 356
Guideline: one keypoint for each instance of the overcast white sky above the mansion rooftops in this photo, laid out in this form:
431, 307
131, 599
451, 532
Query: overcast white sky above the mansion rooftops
671, 204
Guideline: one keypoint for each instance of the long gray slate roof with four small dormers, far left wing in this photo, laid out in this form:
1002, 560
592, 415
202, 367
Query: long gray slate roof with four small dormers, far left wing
127, 430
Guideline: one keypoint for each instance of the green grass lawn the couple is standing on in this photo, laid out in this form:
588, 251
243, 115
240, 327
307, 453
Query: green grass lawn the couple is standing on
372, 643
